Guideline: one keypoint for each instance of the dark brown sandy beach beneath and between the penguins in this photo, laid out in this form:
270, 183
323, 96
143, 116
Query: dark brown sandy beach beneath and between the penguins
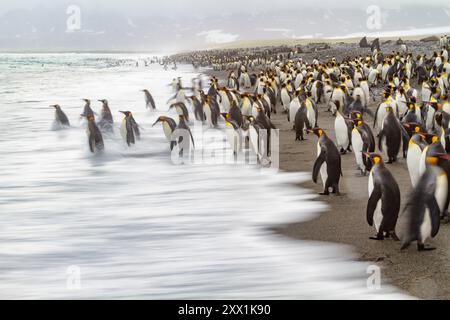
423, 275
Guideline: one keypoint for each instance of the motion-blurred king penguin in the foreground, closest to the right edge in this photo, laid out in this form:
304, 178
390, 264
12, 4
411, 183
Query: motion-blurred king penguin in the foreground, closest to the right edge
422, 213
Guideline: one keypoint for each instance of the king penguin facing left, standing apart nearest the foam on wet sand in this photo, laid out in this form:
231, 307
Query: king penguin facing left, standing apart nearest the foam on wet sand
328, 163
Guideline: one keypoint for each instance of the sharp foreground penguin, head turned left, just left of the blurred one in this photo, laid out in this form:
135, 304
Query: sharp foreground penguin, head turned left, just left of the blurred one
384, 199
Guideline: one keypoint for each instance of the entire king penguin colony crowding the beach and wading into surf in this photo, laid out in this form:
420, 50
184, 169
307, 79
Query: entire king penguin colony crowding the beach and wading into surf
413, 123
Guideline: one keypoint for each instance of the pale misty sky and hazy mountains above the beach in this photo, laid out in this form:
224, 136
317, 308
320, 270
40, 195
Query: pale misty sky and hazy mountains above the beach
172, 25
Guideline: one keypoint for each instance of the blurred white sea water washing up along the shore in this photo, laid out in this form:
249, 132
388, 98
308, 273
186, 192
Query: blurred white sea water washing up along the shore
128, 223
